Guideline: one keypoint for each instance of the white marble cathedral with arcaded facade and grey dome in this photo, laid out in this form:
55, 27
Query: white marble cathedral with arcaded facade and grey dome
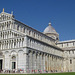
23, 48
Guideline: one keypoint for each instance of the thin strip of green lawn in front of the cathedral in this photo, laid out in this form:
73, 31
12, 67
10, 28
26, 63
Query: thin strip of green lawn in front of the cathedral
71, 73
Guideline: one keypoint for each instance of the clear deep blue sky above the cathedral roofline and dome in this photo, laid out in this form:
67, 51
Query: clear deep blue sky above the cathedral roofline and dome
38, 13
